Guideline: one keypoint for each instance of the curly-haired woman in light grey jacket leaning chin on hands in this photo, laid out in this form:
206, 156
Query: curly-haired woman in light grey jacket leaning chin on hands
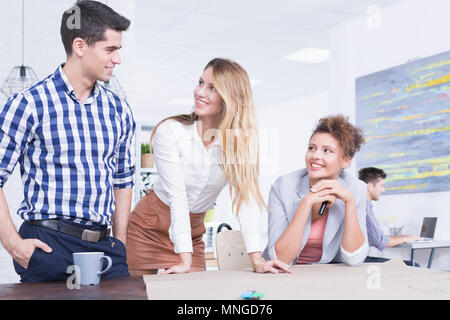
298, 233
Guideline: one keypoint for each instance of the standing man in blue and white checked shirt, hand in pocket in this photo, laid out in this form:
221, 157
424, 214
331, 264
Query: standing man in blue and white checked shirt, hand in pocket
72, 139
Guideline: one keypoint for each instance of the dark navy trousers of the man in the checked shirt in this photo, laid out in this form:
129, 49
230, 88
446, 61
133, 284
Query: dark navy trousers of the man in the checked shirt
53, 266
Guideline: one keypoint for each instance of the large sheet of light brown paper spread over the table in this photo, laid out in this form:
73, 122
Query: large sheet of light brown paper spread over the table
326, 281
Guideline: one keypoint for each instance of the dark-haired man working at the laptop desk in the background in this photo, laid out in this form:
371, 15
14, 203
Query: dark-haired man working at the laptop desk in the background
374, 177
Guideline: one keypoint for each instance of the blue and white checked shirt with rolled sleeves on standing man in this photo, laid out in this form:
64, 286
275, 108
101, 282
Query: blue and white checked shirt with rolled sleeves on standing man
72, 156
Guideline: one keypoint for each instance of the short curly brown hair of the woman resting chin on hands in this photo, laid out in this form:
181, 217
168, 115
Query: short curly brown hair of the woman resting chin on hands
350, 137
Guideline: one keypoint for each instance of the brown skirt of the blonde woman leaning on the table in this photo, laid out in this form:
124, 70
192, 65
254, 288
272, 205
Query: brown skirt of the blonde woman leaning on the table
148, 242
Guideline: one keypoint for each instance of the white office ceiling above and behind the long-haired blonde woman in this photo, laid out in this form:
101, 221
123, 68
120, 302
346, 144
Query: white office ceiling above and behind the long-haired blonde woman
175, 39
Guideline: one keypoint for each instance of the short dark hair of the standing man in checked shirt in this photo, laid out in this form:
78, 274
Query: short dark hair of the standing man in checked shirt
94, 18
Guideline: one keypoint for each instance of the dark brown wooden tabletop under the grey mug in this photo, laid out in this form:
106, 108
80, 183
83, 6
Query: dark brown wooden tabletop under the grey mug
126, 288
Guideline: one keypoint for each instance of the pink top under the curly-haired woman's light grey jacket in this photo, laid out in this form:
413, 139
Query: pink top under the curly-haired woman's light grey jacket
312, 252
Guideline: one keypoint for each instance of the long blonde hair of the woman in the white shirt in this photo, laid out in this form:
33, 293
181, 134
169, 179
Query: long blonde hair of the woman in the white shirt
237, 128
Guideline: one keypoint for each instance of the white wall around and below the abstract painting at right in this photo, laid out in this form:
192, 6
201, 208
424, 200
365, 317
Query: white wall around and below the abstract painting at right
409, 29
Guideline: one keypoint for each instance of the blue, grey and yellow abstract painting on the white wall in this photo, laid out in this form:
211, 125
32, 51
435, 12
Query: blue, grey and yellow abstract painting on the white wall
405, 114
